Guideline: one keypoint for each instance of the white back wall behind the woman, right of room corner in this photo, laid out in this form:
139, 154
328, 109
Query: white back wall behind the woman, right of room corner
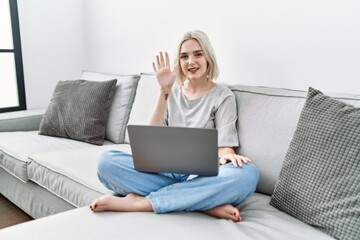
281, 43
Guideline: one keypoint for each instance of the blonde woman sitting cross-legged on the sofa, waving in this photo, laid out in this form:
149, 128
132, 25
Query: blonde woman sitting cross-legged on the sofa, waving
195, 102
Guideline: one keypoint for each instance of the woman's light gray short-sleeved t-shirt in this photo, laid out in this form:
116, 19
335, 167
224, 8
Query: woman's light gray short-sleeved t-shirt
215, 109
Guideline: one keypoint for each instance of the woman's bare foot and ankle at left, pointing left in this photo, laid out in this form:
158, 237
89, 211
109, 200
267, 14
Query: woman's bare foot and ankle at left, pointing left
131, 203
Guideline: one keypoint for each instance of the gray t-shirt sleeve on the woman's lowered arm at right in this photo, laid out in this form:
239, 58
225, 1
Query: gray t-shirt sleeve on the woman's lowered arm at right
225, 122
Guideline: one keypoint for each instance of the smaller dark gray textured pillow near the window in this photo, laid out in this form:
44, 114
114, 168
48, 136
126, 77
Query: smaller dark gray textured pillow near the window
79, 110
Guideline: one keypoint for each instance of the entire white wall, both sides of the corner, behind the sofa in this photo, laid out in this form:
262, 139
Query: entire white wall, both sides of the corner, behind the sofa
280, 43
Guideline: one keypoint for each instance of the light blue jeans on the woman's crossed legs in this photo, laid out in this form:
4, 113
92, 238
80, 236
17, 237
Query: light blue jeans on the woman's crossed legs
169, 192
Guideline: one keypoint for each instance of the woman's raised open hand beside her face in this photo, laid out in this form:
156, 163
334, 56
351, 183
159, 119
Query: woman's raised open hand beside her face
164, 75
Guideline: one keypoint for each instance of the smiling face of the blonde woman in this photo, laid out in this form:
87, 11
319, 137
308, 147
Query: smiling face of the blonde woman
192, 60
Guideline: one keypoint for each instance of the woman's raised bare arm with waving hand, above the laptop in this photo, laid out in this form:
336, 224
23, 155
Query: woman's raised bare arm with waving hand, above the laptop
166, 79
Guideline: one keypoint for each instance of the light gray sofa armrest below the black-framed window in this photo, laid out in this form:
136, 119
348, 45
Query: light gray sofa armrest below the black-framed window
27, 120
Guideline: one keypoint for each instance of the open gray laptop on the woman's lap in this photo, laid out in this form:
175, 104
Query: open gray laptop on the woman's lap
163, 149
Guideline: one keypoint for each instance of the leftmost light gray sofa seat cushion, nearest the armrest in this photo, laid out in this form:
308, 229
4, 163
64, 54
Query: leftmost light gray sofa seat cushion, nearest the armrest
15, 147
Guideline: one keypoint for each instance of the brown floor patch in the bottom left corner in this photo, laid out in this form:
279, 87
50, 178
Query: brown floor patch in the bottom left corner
10, 214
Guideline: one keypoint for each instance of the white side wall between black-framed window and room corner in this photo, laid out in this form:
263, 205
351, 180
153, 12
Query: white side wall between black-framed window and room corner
52, 39
